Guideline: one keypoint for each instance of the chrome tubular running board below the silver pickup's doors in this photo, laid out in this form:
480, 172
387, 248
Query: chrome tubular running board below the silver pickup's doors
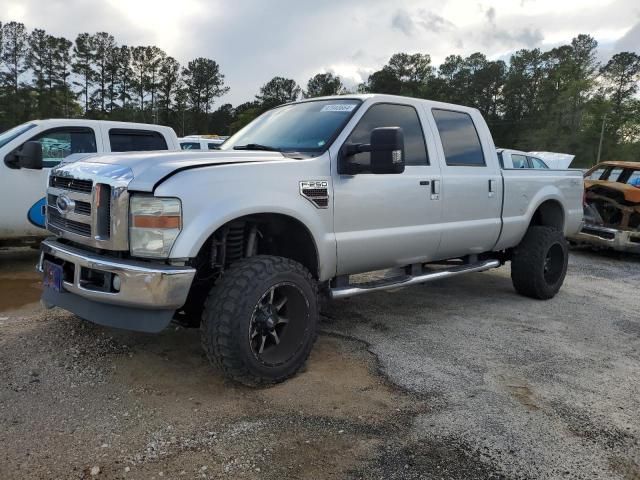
408, 280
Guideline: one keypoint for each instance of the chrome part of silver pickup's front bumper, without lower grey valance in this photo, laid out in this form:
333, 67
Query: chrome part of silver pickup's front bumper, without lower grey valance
142, 285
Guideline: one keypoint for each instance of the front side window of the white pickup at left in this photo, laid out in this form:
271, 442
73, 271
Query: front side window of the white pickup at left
59, 143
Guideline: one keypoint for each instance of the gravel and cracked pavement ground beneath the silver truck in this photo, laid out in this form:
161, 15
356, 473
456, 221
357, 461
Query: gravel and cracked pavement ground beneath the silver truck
459, 379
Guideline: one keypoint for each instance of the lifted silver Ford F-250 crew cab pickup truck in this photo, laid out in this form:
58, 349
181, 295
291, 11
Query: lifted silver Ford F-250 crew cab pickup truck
245, 240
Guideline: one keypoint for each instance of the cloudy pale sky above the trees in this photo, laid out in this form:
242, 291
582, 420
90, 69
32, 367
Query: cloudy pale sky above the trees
255, 40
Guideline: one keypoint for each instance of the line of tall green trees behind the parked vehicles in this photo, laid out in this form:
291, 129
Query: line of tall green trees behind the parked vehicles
558, 100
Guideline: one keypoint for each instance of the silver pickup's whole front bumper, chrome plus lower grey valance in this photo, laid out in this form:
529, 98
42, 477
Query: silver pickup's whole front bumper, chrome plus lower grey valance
146, 300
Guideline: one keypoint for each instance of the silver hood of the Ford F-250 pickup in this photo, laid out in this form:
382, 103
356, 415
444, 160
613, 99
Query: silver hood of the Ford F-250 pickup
148, 169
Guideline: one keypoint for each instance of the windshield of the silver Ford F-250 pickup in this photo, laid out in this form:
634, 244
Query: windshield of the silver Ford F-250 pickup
299, 127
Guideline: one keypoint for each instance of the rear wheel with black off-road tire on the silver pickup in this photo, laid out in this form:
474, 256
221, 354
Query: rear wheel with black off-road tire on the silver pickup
539, 263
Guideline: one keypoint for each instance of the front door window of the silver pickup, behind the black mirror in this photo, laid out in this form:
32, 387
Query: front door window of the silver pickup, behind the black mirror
390, 115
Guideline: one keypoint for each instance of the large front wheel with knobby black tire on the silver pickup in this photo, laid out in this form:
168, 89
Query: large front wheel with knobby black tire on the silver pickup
260, 320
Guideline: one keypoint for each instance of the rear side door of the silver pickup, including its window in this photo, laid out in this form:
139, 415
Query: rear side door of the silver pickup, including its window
471, 186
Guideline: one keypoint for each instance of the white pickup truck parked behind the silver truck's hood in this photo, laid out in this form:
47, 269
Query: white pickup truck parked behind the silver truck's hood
21, 189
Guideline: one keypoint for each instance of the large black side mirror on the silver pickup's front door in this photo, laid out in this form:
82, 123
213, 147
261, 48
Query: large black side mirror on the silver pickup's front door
387, 152
